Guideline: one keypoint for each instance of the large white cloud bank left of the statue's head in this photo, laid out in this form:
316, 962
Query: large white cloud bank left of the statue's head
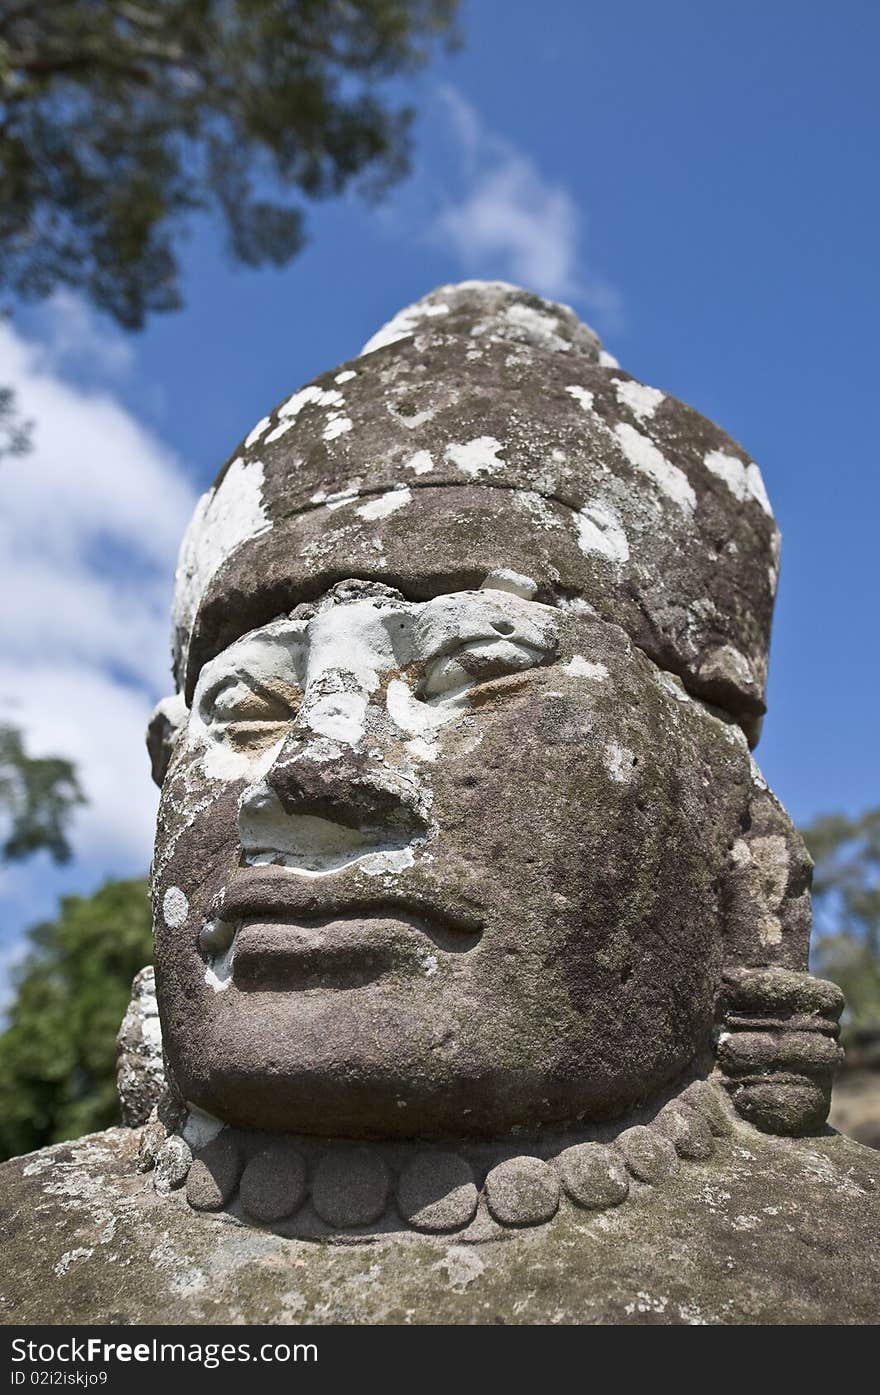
91, 524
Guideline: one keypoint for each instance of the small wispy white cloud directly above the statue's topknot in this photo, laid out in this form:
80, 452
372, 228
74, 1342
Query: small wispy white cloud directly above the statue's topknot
508, 221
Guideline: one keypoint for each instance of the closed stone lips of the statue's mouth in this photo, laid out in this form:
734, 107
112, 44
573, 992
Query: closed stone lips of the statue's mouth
271, 934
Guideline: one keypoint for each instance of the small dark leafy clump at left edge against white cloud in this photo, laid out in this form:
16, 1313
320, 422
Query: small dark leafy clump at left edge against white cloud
38, 796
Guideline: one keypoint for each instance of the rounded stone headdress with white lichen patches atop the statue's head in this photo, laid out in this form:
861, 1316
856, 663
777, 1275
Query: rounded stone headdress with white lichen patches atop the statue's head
483, 448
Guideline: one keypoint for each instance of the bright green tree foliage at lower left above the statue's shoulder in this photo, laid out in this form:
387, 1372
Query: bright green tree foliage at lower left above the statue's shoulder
58, 1054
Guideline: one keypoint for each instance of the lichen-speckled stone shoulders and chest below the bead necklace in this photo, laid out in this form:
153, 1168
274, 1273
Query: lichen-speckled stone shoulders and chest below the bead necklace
771, 1231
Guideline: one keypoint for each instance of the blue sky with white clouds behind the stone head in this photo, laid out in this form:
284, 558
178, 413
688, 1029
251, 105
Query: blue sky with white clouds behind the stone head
699, 182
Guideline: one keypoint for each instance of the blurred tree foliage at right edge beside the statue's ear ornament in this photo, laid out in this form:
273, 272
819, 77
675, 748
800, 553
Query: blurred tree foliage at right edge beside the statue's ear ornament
847, 909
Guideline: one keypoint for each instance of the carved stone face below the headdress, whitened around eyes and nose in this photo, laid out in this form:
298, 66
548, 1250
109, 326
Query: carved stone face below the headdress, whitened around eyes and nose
441, 867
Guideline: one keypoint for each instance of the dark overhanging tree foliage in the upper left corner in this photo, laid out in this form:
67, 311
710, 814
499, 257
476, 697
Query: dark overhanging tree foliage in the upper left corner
121, 119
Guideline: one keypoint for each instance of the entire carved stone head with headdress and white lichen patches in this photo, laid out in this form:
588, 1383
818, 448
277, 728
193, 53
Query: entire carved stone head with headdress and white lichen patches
460, 828
